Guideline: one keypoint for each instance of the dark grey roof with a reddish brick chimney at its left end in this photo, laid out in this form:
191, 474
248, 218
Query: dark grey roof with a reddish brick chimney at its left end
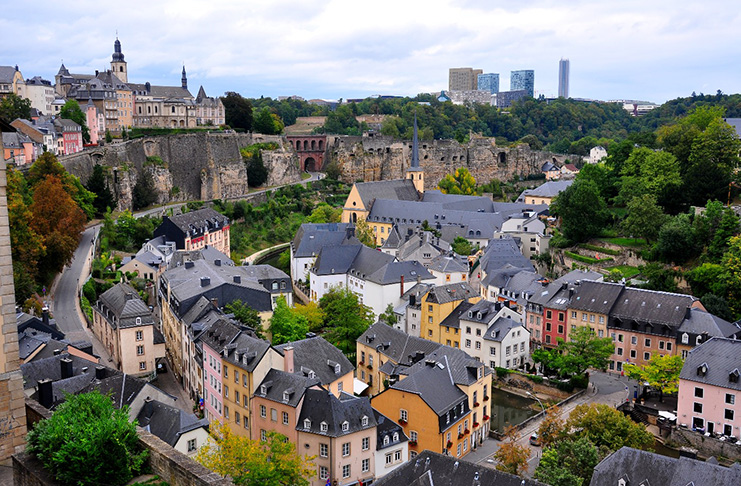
316, 354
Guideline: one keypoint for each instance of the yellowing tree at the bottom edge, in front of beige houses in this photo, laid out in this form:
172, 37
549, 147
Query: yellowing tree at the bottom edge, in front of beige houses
272, 462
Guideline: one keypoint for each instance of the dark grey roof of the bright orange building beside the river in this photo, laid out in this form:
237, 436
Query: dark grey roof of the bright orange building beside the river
434, 383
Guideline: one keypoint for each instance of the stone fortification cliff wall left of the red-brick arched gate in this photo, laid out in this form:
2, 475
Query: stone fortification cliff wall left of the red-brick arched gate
196, 165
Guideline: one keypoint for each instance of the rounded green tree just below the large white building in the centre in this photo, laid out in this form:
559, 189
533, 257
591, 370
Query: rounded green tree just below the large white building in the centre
345, 318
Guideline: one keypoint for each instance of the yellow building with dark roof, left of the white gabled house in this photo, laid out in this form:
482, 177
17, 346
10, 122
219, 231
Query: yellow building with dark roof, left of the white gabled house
437, 304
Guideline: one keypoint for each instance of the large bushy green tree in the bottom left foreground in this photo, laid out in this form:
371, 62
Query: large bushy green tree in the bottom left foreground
87, 442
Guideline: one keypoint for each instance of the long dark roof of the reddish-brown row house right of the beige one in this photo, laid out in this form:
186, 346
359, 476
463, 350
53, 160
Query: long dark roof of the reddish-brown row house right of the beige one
652, 306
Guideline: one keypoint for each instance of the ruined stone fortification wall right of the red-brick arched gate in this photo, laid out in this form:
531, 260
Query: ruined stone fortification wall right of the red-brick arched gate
377, 158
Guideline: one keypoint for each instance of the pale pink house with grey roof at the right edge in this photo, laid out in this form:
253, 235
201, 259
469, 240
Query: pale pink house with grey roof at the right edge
710, 388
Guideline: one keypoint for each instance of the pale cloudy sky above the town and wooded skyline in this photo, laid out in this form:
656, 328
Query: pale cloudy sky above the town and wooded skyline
636, 49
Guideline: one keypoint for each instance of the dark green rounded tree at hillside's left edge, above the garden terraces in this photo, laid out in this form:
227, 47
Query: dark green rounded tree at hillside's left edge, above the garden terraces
582, 210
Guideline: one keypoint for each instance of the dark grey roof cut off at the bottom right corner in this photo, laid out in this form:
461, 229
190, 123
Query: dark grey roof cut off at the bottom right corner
648, 468
